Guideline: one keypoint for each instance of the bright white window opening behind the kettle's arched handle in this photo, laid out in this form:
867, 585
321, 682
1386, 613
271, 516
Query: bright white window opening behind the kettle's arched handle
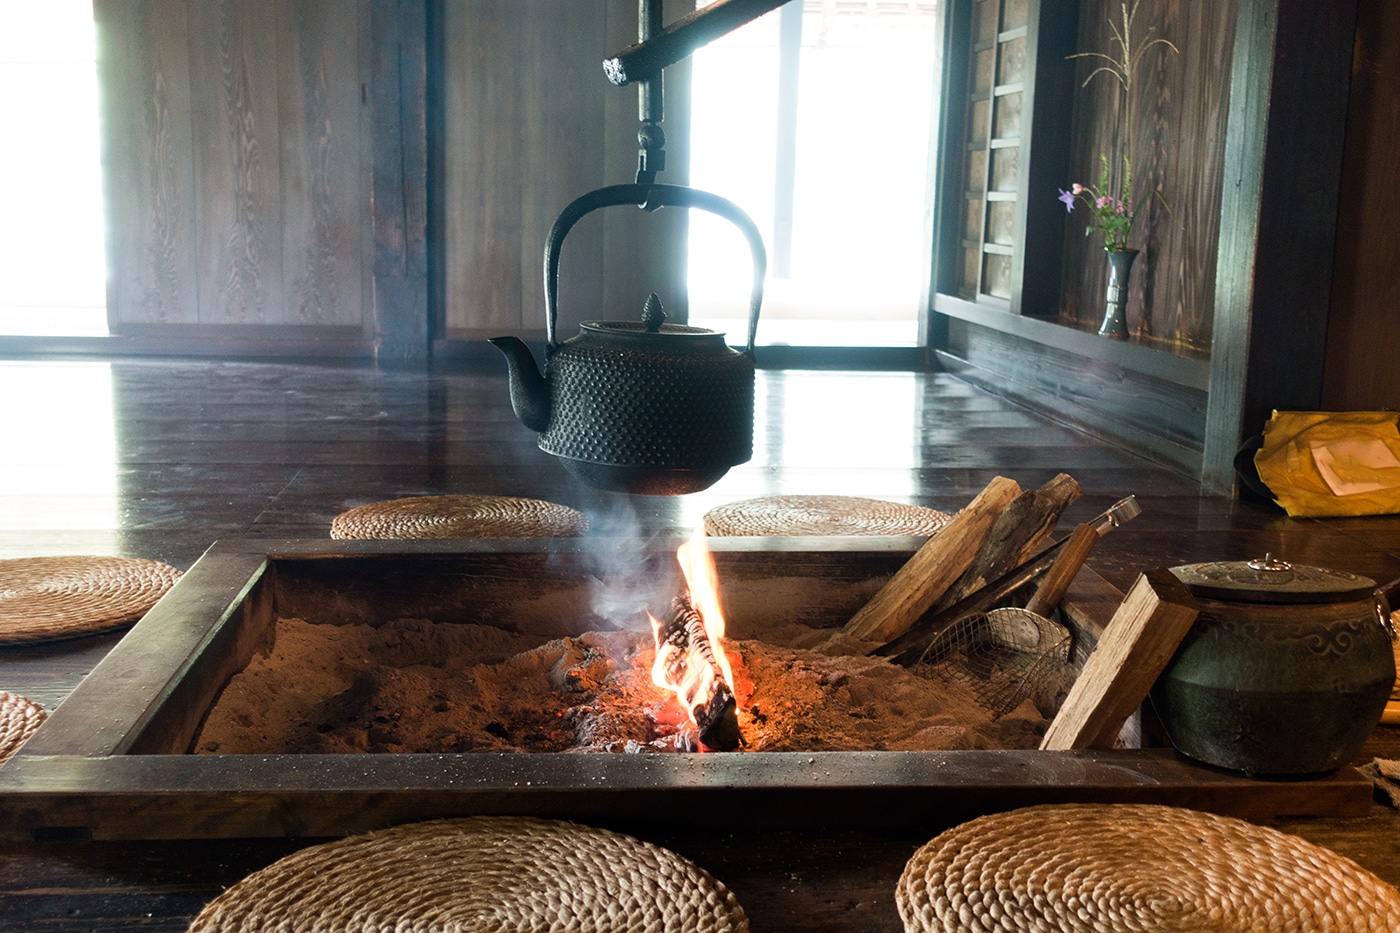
843, 208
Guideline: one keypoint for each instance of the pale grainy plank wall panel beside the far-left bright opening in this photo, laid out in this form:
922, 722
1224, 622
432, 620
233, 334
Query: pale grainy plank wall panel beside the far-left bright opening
236, 149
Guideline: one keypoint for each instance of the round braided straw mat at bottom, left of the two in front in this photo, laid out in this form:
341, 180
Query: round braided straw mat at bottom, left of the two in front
479, 873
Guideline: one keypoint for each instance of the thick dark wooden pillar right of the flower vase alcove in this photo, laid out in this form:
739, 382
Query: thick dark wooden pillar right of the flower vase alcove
1279, 218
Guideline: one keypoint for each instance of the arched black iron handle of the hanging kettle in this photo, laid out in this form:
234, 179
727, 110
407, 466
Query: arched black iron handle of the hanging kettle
650, 198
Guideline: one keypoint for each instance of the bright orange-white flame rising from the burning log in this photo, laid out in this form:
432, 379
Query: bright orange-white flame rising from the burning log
696, 670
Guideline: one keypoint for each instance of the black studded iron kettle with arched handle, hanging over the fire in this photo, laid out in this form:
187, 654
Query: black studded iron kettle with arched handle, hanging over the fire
640, 407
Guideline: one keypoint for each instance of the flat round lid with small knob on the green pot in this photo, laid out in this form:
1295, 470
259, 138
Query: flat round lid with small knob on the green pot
1272, 581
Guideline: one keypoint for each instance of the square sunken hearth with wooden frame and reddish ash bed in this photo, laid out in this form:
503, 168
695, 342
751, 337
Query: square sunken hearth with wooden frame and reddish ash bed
492, 669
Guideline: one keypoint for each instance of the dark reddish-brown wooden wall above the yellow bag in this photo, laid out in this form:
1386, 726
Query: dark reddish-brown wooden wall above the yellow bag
1366, 312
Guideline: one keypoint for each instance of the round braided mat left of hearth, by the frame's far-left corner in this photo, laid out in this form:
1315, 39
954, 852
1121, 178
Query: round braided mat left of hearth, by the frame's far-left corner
50, 599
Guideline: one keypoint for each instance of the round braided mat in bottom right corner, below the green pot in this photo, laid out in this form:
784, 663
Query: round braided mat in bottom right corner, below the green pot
1101, 868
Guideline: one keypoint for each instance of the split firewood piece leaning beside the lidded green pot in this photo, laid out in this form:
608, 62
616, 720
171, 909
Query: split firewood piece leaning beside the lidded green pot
1135, 649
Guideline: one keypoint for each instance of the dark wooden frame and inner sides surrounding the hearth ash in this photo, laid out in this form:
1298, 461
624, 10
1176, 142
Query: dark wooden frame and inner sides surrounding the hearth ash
111, 763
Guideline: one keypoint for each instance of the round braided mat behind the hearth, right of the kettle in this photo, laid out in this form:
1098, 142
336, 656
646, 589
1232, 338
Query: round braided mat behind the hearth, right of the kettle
822, 516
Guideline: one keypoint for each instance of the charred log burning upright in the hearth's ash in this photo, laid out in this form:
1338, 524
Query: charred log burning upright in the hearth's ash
687, 663
